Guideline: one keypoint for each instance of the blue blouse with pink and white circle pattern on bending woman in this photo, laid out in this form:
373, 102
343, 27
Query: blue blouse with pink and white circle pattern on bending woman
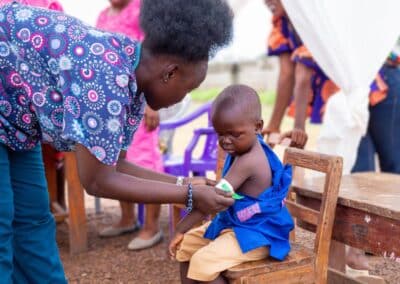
63, 82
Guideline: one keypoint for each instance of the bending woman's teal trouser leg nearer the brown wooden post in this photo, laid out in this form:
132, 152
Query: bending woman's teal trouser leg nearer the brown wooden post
36, 257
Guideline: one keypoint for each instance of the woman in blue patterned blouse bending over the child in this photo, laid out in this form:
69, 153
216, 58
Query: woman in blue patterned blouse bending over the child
75, 87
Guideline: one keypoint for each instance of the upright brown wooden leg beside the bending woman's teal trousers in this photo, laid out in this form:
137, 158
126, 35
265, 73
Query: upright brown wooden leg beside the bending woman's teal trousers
76, 203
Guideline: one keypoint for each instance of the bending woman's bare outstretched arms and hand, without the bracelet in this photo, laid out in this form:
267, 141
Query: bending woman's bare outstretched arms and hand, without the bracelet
106, 181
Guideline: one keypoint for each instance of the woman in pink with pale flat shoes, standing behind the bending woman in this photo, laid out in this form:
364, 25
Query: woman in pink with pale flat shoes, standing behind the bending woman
123, 16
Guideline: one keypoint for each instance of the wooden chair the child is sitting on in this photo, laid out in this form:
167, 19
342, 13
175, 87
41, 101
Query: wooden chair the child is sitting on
302, 265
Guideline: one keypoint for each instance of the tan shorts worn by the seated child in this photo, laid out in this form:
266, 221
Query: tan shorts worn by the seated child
207, 258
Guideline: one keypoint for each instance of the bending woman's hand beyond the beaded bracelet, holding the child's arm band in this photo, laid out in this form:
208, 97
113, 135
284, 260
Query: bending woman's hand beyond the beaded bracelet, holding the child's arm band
211, 200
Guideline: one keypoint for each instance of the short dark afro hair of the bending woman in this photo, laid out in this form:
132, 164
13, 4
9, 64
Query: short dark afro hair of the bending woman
191, 29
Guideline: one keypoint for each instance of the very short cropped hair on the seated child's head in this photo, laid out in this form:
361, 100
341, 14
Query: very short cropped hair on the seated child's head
240, 98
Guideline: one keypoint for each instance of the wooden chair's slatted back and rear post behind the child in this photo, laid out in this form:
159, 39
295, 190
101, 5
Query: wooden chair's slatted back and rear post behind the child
324, 219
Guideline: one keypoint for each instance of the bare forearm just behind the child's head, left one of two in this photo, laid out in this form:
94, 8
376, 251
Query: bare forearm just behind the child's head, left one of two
284, 93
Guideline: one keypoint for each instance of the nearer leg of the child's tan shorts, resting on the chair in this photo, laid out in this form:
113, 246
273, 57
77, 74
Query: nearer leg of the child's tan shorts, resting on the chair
223, 253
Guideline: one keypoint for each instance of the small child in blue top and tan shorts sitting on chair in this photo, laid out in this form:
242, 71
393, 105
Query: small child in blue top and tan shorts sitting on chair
258, 223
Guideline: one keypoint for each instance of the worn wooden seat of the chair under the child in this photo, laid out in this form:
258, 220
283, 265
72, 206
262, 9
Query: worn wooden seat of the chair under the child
300, 258
